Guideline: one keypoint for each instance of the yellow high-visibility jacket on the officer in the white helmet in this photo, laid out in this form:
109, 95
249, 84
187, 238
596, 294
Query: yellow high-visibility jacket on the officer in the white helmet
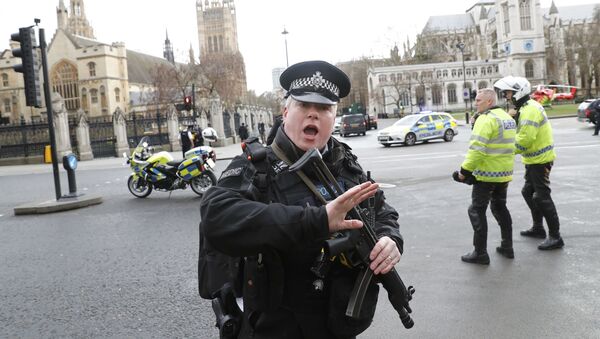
534, 135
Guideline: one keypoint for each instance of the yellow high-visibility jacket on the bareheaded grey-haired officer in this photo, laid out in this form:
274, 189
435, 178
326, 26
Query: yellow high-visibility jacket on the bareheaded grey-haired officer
492, 146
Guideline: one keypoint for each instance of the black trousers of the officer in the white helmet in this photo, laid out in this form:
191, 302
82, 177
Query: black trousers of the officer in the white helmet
536, 192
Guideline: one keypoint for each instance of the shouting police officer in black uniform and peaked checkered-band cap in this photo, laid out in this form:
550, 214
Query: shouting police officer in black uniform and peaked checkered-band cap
276, 223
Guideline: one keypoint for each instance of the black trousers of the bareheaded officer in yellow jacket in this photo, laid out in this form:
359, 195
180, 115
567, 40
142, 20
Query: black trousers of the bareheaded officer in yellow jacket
483, 194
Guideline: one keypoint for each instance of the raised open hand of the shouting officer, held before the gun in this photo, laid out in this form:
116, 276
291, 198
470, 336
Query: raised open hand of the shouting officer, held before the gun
339, 207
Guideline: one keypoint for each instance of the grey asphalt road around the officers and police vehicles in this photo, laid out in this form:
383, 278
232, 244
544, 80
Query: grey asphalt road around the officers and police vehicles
127, 267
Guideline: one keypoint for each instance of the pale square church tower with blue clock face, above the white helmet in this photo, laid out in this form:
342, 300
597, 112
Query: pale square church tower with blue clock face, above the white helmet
520, 29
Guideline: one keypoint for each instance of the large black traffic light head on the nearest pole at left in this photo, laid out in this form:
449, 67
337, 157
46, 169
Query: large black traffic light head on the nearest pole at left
30, 65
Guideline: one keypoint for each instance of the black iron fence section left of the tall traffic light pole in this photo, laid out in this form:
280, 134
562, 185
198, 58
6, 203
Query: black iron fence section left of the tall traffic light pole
24, 139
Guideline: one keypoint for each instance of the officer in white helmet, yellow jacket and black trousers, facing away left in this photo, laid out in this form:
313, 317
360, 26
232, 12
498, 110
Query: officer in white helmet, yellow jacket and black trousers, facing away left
535, 143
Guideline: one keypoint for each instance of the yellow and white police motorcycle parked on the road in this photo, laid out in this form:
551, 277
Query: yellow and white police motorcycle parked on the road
158, 171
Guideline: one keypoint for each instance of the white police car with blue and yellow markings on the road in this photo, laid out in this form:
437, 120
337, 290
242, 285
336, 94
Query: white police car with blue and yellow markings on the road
419, 127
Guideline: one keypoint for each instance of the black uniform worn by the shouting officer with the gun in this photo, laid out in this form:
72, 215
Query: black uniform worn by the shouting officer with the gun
287, 225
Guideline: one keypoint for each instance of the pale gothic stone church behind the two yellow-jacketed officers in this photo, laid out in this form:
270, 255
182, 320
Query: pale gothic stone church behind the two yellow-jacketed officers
457, 53
